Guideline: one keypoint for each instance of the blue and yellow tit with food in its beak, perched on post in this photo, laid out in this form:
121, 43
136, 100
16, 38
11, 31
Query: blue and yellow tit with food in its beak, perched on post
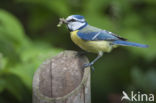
93, 39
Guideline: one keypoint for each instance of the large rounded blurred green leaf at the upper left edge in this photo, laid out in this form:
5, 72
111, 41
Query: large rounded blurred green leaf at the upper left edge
11, 29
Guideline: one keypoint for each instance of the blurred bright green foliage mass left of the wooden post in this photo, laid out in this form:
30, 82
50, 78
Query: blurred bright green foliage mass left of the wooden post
19, 58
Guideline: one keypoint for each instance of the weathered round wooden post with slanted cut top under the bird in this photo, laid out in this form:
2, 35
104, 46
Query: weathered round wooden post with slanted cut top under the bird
62, 80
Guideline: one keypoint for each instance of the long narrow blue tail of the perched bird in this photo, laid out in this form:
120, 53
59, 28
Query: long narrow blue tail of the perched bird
126, 43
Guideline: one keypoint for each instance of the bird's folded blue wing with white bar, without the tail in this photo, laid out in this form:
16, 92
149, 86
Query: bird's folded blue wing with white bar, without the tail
95, 34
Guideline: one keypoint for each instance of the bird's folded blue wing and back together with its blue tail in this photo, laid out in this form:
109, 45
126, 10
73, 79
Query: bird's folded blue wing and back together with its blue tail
94, 34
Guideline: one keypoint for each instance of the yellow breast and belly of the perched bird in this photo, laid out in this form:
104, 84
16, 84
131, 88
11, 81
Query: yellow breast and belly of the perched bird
90, 46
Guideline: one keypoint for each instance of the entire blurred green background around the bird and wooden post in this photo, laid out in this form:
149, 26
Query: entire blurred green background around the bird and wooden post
28, 36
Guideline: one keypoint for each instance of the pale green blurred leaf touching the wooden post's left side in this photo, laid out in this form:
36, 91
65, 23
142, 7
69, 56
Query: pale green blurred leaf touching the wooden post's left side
32, 57
